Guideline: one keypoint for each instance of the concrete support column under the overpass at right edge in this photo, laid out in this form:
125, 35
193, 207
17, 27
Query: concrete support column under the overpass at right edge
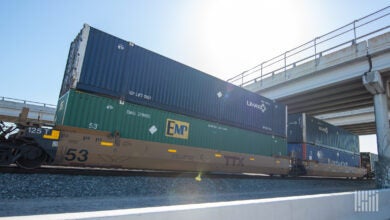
374, 84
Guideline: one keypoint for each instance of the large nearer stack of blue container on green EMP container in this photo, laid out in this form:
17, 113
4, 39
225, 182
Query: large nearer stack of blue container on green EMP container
114, 85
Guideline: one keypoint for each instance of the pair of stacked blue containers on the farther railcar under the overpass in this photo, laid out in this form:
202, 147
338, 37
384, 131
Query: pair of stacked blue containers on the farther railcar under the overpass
312, 139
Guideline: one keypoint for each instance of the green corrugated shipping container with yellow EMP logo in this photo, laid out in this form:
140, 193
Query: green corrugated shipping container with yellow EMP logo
78, 109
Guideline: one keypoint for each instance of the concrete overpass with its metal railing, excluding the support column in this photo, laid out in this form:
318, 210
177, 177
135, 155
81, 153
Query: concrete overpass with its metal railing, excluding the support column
323, 77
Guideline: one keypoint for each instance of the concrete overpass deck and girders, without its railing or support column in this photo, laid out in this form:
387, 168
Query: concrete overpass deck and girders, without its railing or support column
332, 85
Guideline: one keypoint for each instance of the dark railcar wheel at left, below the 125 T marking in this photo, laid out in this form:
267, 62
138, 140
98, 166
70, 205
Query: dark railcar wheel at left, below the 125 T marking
32, 158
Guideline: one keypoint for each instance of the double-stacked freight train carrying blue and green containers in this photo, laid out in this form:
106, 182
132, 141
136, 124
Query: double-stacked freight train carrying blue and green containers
122, 106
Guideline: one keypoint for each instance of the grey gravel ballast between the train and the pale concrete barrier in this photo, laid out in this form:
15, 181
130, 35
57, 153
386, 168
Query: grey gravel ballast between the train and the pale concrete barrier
29, 194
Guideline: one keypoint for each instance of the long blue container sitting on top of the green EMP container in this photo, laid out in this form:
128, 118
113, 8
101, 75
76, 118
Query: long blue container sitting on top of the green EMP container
106, 65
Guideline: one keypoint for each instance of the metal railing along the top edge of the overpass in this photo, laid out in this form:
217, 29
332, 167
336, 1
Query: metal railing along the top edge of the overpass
358, 30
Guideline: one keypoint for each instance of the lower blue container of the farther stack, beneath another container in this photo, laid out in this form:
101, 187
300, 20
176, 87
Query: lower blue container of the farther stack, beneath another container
323, 155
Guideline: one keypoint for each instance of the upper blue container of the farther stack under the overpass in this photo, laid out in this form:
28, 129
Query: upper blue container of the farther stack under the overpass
306, 129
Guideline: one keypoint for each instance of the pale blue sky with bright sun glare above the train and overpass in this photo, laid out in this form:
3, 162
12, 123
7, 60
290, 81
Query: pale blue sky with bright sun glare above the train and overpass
222, 38
